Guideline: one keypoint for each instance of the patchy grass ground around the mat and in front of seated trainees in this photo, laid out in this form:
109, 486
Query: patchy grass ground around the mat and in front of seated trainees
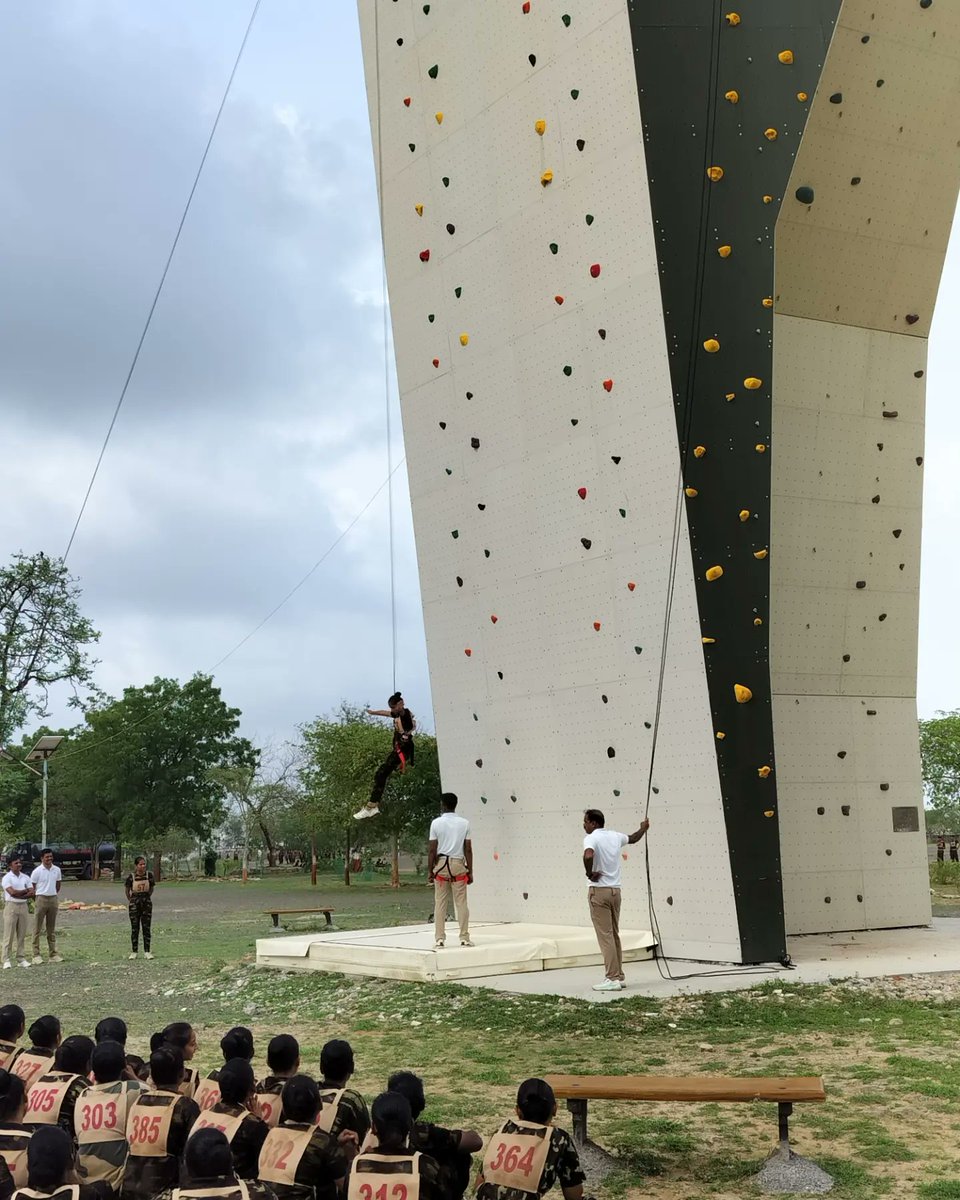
892, 1065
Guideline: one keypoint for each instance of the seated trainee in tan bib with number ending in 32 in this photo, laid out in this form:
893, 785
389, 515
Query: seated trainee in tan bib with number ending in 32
301, 1161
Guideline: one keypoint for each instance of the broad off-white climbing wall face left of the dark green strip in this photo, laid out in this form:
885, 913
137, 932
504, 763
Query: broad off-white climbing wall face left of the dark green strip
529, 718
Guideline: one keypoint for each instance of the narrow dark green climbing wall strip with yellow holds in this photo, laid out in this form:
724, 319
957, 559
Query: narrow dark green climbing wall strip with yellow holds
728, 86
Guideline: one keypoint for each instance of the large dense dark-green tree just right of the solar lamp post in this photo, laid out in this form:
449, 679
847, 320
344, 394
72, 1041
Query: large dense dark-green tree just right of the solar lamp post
152, 763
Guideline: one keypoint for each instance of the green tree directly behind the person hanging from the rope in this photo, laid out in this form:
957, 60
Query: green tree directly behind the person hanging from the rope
341, 754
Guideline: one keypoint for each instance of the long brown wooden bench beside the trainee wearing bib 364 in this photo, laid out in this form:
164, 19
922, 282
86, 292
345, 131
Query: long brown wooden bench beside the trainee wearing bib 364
784, 1093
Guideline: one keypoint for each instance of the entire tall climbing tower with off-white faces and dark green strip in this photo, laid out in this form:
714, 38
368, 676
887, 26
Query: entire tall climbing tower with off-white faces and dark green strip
613, 297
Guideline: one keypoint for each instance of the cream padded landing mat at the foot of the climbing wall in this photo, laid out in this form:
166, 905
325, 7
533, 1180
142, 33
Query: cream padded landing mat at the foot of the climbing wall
407, 952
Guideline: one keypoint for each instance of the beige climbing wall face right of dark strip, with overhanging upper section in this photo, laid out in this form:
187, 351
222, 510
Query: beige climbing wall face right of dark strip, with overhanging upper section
857, 274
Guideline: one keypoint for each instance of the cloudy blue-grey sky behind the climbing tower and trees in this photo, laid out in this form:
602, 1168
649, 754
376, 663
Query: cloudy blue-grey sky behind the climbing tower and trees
255, 430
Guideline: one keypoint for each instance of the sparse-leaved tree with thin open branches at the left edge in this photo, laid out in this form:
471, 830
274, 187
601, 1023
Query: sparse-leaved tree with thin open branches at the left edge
44, 639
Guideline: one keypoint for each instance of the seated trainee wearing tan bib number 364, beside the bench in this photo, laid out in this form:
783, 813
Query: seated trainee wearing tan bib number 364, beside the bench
529, 1155
